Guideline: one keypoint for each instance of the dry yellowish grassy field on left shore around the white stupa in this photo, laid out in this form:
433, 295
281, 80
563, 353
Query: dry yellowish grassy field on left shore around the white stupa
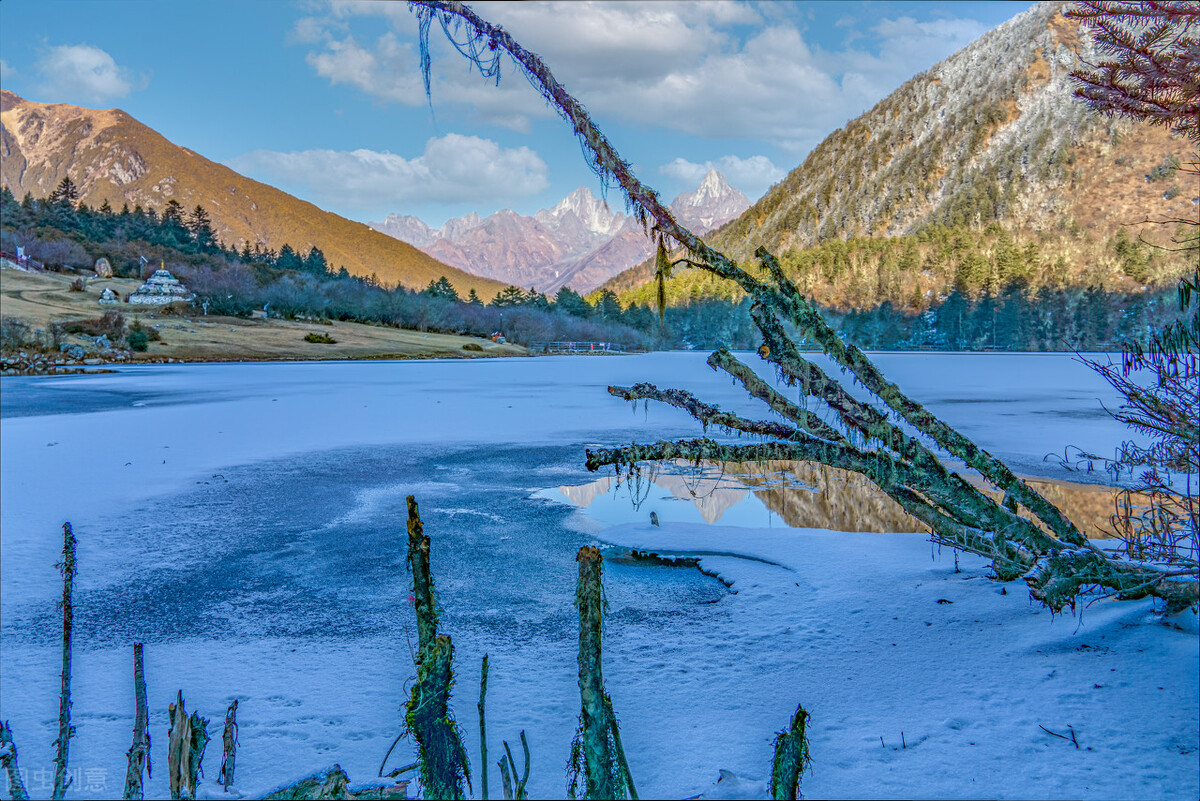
43, 299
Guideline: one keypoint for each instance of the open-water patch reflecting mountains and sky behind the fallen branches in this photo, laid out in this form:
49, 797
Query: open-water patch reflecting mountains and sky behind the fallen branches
802, 495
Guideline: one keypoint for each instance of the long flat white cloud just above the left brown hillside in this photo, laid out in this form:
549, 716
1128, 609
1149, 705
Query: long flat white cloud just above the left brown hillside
453, 170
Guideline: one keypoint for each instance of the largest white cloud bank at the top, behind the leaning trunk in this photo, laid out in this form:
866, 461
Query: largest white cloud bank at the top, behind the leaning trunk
692, 68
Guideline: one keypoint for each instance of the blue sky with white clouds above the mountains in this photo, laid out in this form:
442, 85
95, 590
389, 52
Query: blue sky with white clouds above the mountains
325, 98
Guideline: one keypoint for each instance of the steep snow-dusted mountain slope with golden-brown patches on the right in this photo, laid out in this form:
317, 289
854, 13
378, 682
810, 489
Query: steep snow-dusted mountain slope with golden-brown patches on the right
991, 136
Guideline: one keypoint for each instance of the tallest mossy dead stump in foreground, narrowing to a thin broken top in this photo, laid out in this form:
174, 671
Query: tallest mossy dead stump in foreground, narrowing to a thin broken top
445, 767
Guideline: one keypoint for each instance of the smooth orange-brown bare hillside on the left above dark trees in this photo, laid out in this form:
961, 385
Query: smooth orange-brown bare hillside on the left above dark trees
111, 156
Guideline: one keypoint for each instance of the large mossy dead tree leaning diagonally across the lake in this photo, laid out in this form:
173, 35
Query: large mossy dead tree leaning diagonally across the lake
957, 514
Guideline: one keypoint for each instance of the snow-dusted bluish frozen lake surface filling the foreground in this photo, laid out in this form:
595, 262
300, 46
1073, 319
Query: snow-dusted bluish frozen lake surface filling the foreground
247, 522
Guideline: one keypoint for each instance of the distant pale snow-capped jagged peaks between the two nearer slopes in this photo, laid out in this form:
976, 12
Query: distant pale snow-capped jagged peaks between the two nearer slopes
580, 243
